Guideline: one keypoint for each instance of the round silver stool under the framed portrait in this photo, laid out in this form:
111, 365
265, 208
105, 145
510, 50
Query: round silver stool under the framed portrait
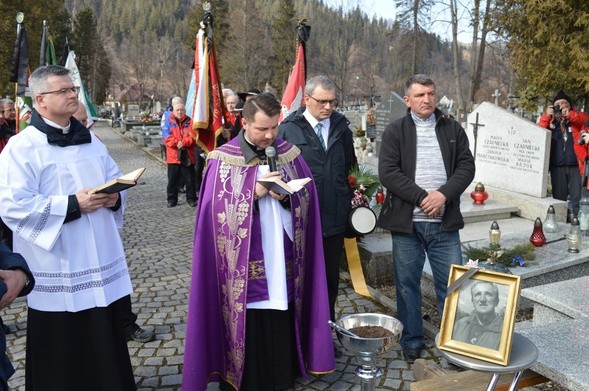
523, 354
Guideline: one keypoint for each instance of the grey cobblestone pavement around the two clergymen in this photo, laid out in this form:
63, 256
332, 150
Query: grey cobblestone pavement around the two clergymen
158, 244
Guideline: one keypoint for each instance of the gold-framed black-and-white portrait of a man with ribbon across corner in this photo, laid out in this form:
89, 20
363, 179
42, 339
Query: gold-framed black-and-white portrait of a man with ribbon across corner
479, 315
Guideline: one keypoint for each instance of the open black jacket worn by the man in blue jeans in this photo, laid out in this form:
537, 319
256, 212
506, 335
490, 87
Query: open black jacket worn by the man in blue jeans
397, 165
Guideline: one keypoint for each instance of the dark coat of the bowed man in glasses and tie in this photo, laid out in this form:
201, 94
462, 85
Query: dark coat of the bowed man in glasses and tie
330, 167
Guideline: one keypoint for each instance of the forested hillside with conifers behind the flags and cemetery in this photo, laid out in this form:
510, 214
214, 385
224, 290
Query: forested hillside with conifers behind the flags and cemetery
147, 45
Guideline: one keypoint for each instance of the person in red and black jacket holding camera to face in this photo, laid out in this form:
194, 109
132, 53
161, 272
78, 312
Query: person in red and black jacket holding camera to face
567, 155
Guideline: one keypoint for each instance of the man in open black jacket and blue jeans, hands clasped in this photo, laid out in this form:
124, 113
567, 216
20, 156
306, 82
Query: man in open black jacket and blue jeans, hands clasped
425, 164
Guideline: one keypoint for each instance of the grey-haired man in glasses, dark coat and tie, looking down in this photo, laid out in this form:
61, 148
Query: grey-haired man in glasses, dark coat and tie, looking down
325, 140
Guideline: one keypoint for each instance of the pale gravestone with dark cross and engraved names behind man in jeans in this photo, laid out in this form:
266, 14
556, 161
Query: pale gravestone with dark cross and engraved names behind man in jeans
511, 153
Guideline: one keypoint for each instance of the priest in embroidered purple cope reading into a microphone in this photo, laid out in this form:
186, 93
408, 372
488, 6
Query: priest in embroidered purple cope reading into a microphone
258, 307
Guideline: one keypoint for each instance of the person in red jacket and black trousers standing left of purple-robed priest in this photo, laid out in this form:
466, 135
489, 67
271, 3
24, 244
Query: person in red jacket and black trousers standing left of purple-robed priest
181, 156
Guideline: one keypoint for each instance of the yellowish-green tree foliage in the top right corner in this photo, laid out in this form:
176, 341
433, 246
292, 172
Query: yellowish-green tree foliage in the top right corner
548, 44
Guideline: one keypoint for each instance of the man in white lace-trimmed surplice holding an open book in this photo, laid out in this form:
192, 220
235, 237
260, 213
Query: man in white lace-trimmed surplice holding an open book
70, 239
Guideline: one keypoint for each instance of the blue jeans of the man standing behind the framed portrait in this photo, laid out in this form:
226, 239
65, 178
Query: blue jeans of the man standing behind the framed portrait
409, 251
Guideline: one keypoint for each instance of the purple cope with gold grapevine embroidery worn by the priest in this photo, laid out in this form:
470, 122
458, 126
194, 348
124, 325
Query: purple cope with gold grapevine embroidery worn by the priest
222, 268
